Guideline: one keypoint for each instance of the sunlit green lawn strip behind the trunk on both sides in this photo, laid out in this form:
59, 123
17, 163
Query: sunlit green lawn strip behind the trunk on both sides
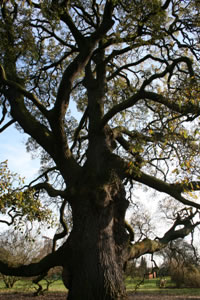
150, 286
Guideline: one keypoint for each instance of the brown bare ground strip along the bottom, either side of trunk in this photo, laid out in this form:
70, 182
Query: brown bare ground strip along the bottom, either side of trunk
62, 296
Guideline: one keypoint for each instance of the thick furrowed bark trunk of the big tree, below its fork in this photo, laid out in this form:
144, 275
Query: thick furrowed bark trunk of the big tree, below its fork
95, 261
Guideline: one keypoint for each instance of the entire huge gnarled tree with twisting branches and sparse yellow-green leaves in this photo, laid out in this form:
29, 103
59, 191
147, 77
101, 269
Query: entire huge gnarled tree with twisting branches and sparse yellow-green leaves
131, 69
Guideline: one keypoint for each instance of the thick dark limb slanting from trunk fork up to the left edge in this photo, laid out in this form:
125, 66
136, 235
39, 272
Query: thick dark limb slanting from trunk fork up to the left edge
44, 137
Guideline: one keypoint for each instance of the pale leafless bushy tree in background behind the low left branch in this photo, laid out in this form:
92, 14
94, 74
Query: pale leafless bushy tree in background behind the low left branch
25, 247
